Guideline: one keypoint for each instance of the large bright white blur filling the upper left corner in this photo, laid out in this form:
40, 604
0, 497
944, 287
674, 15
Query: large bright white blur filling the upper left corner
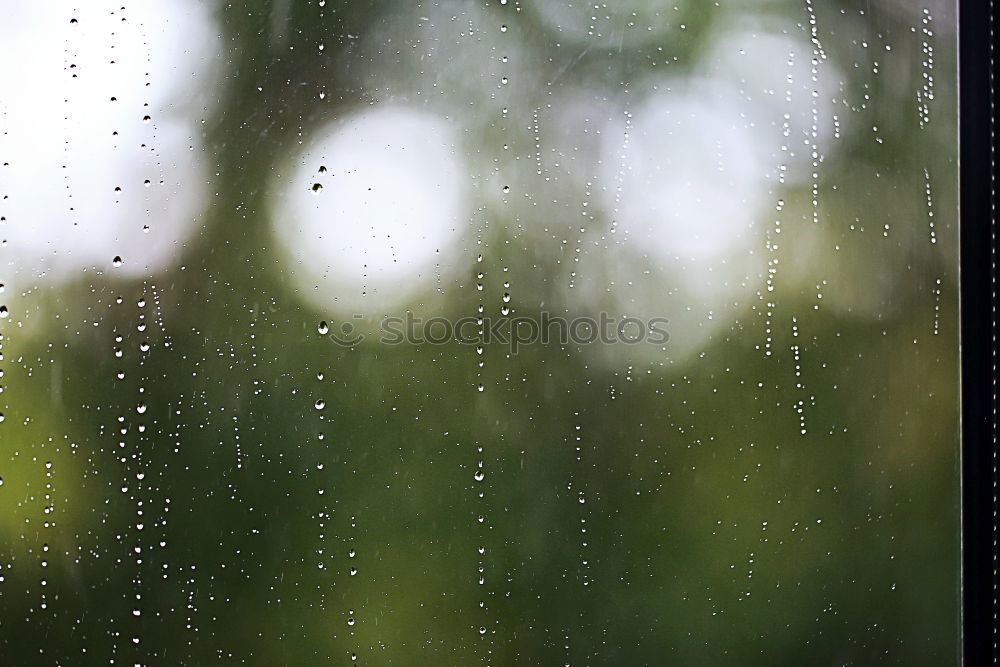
102, 137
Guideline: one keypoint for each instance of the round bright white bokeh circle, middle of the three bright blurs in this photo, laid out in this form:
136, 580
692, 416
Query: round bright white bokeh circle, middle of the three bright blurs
372, 211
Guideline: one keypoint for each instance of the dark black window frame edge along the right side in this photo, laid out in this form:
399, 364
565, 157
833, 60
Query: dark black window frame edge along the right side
977, 149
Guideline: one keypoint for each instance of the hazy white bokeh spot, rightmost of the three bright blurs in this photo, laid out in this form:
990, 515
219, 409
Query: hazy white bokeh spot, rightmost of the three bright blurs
690, 184
